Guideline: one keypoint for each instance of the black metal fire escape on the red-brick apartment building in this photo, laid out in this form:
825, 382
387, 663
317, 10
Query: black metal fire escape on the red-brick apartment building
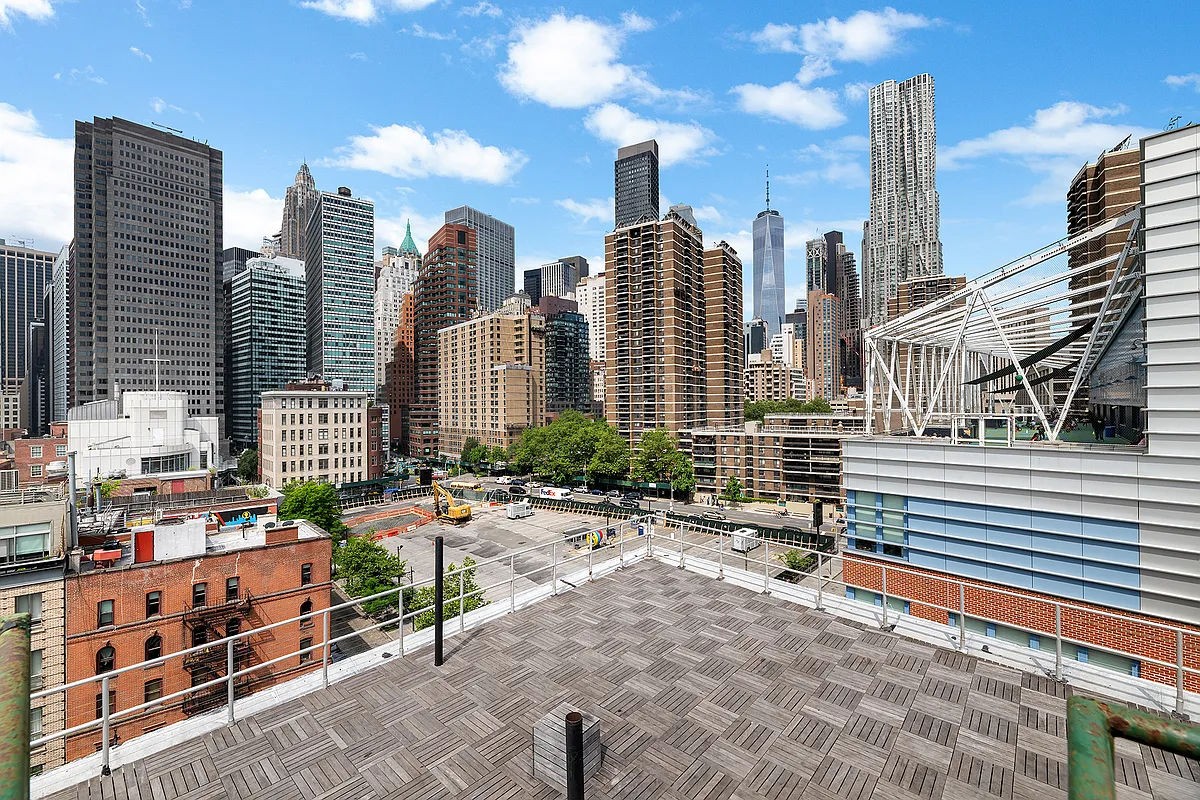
209, 623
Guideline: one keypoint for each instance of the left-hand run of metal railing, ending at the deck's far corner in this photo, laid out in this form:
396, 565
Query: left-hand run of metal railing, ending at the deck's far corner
571, 558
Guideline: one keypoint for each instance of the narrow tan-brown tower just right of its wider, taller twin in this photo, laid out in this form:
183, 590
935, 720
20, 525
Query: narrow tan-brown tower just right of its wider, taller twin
725, 352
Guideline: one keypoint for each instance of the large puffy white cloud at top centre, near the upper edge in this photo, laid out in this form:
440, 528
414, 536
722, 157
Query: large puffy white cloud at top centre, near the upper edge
575, 62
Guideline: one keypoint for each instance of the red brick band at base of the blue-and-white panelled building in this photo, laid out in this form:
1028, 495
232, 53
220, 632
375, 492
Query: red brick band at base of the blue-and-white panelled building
1033, 611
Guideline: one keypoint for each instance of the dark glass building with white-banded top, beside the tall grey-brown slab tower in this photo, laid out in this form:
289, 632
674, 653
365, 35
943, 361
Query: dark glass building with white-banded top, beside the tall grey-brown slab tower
267, 339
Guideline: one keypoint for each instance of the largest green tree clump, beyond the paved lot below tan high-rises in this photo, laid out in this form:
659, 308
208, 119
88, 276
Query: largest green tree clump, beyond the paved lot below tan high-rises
571, 447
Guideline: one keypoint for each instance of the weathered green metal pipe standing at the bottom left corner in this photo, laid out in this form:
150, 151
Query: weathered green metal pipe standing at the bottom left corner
15, 708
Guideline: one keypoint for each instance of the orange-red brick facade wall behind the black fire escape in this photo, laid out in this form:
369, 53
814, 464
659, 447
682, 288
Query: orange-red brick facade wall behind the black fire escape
271, 575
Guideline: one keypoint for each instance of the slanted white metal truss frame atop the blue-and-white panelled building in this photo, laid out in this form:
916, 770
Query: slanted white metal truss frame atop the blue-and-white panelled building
1023, 322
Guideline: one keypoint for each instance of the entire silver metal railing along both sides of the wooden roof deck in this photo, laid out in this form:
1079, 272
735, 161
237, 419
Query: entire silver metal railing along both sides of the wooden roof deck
808, 575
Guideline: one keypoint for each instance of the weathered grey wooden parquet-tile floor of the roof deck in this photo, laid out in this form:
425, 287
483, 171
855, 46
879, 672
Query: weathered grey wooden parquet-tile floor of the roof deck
703, 690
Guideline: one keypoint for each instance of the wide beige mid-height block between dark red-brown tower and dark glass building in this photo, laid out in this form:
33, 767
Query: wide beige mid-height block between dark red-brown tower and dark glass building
493, 377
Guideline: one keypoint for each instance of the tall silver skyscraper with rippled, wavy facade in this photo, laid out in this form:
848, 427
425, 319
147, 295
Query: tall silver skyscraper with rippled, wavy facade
903, 237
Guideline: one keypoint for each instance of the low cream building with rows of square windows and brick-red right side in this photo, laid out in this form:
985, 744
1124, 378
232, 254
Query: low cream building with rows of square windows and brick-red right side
320, 431
